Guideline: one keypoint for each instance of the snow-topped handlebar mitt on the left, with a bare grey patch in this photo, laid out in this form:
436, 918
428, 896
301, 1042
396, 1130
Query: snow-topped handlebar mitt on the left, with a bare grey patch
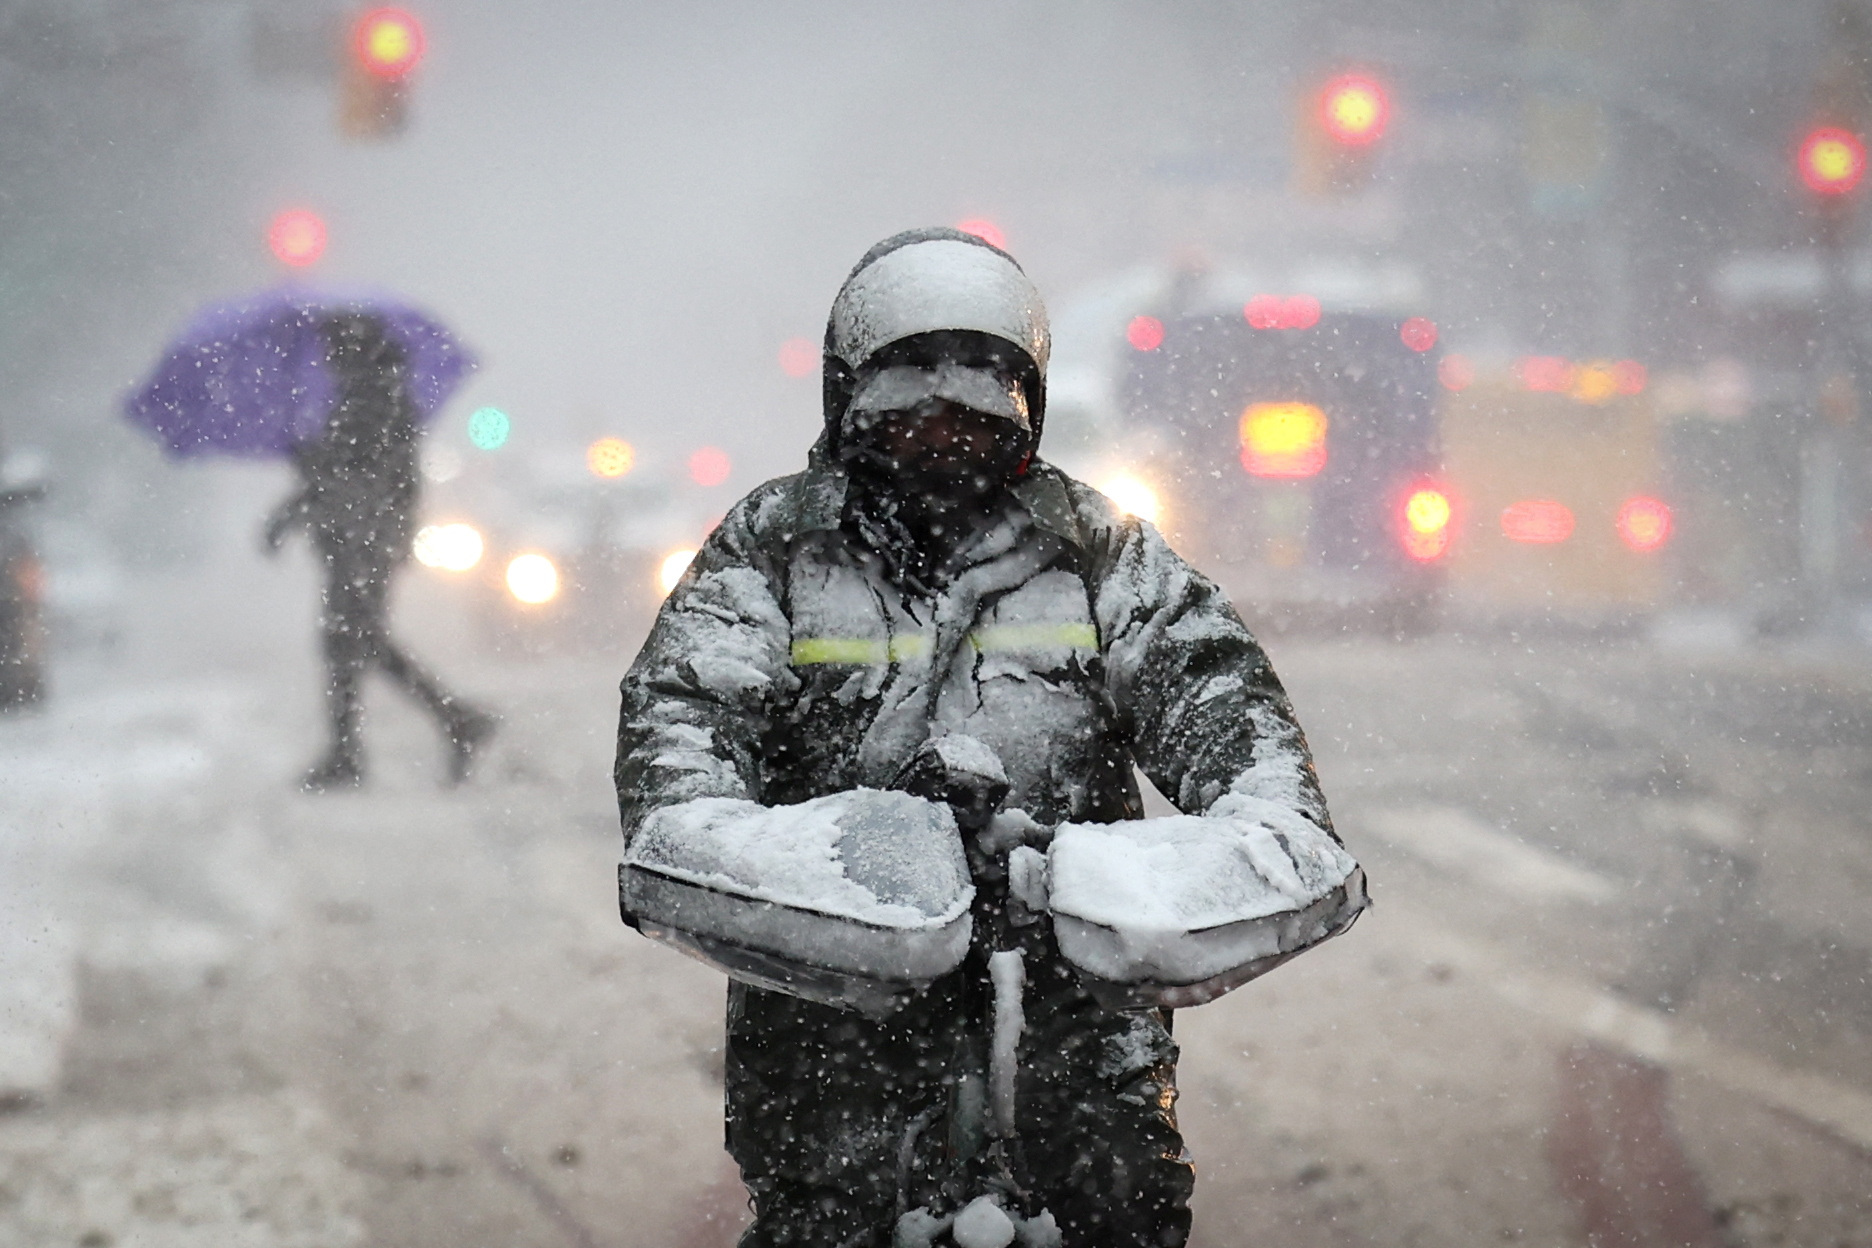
855, 899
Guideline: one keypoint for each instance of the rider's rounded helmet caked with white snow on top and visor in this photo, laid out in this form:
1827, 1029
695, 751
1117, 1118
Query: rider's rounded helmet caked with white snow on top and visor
928, 283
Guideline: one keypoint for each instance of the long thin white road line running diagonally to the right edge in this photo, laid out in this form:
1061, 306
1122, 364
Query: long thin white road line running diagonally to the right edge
1592, 1011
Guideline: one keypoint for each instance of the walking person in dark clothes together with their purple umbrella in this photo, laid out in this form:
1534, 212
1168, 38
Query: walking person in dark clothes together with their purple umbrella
340, 388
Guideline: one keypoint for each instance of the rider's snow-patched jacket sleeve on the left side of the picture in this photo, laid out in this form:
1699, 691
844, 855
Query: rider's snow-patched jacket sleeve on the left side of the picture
695, 703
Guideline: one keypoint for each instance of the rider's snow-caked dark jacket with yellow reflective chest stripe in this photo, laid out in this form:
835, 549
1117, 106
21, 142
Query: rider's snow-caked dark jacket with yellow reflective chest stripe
1070, 639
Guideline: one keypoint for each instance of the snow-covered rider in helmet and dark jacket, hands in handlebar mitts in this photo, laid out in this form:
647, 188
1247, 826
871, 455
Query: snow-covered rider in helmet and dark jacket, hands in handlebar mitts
933, 613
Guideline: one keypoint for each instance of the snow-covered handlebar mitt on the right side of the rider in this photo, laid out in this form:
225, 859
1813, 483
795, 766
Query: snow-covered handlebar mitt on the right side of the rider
1180, 910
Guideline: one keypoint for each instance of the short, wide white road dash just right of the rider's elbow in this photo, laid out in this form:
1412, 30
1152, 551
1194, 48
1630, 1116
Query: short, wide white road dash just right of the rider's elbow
1463, 845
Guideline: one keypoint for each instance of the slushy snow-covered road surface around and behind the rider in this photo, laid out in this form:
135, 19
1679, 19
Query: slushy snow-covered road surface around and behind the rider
1615, 978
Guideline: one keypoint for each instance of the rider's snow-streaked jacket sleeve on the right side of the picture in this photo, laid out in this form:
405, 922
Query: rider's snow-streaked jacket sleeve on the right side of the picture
1210, 723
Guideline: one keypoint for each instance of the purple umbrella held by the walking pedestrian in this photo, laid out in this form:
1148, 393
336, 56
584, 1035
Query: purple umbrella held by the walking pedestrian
252, 379
